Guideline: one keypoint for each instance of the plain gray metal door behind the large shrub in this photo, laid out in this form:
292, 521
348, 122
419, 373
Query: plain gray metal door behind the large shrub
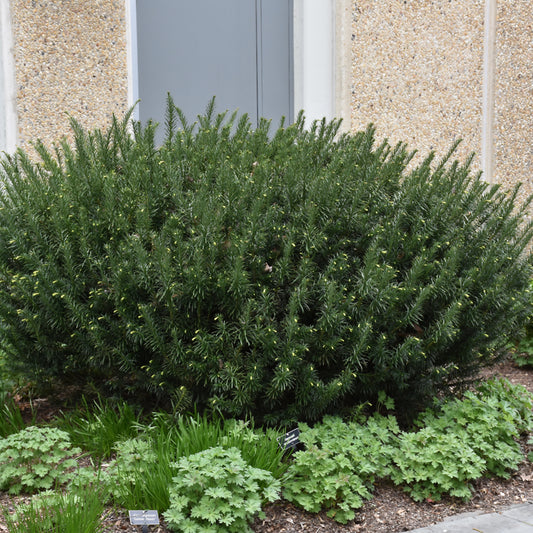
237, 50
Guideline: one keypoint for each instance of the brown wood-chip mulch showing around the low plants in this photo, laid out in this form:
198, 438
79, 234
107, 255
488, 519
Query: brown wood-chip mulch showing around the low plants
390, 510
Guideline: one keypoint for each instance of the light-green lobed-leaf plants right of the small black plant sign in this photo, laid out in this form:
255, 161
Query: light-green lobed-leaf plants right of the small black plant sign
456, 443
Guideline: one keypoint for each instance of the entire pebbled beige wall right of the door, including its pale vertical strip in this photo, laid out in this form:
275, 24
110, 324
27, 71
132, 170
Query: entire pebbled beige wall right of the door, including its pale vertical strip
420, 75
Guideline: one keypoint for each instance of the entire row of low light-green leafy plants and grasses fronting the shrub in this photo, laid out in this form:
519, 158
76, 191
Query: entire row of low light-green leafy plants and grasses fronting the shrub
201, 474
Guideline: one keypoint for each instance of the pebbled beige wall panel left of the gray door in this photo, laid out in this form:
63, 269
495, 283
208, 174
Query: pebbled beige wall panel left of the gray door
70, 57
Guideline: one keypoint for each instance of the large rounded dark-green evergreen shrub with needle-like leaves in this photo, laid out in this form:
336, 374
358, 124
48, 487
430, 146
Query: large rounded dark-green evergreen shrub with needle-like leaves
286, 274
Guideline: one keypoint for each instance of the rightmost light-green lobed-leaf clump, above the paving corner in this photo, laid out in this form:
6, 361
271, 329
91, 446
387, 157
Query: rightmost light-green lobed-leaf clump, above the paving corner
481, 430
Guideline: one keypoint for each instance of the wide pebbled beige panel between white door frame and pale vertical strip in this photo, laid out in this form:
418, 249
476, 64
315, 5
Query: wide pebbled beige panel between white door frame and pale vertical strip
418, 72
